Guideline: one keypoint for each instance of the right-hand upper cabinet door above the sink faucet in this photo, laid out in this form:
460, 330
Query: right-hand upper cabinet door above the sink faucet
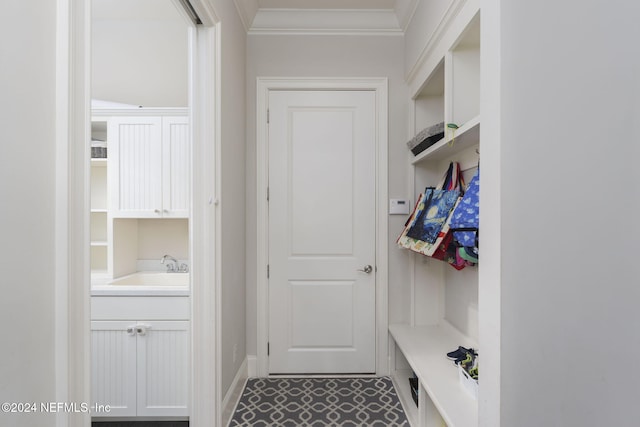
176, 159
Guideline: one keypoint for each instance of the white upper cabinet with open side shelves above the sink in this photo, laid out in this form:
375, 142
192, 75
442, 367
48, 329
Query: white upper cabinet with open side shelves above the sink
145, 175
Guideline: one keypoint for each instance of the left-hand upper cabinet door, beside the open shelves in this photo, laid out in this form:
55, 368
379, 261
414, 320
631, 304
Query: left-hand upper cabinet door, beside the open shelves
135, 167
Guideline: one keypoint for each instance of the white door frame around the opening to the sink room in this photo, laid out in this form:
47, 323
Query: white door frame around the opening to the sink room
72, 295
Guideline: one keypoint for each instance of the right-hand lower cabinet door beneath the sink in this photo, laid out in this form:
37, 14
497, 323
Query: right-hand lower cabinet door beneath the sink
163, 369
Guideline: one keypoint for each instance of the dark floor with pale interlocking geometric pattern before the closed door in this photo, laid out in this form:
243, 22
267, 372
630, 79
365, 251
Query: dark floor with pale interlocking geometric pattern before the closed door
319, 402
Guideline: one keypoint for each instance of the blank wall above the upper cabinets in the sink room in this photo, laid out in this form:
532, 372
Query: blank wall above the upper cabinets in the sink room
139, 53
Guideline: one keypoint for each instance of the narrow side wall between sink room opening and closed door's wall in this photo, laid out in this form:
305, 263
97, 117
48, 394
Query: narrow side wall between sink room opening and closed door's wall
232, 198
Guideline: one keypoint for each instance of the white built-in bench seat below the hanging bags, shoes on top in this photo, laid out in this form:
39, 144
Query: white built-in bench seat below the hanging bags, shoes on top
425, 349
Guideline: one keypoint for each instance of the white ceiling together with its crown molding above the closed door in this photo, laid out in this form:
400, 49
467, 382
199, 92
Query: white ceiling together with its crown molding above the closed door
326, 16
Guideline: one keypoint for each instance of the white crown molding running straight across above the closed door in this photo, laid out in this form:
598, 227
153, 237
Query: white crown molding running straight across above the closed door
325, 21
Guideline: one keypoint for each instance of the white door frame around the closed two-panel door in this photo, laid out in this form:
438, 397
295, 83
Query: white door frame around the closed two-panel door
380, 87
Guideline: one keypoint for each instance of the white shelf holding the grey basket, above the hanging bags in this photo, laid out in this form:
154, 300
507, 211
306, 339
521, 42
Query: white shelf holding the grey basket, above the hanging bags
464, 137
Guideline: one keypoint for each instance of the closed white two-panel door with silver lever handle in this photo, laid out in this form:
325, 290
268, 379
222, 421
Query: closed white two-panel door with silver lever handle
322, 225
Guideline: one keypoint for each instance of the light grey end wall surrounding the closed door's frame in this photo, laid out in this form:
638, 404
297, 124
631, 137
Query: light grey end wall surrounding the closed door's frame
331, 56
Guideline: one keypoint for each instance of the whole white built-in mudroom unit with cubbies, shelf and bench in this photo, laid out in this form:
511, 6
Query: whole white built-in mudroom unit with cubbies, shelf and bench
444, 302
